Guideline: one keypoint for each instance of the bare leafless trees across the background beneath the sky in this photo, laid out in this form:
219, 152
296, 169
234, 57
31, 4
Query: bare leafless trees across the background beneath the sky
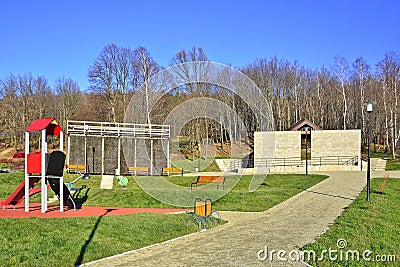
332, 98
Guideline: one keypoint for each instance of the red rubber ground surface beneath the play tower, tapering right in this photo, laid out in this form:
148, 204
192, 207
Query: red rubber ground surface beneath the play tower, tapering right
53, 211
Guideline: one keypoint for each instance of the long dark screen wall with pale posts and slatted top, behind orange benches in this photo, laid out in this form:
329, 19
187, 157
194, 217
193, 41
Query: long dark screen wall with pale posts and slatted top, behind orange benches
97, 146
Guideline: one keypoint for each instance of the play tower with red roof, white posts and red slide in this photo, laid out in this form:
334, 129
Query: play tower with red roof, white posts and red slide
44, 167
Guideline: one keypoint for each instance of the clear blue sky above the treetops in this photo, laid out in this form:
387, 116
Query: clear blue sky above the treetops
63, 38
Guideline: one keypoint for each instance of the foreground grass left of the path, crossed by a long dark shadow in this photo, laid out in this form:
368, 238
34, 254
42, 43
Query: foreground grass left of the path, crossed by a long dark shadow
72, 241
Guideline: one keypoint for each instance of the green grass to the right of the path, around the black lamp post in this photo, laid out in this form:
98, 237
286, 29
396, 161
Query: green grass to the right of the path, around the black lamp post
373, 226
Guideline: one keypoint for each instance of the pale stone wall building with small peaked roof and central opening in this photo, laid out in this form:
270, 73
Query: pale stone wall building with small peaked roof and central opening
305, 144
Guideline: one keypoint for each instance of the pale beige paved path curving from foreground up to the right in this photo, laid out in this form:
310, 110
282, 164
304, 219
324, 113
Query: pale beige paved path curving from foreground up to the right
287, 226
